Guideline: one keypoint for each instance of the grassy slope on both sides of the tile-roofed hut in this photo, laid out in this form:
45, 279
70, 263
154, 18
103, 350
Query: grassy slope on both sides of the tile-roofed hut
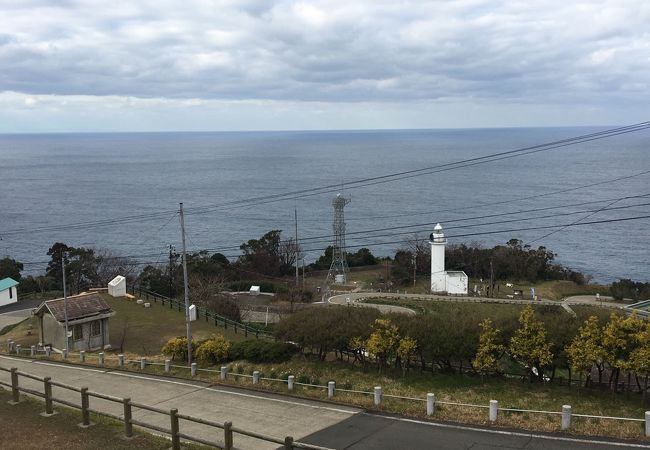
142, 331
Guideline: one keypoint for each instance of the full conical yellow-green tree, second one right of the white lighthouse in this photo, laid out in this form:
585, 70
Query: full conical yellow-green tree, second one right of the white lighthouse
529, 345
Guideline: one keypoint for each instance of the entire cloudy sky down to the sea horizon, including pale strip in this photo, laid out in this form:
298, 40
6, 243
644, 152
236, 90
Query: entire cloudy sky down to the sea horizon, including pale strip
83, 66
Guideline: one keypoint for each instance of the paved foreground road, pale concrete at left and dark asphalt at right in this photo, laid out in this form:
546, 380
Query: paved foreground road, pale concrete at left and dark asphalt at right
319, 423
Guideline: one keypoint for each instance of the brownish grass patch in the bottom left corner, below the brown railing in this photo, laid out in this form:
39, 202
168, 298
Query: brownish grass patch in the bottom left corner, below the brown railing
24, 428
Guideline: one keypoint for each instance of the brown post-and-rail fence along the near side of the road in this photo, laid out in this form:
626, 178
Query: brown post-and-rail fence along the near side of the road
127, 417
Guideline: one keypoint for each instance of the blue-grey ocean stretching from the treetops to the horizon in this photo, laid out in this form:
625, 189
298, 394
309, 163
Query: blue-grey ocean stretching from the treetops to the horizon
57, 187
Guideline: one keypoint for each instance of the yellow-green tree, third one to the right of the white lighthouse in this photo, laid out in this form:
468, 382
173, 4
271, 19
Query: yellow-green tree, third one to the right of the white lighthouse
586, 349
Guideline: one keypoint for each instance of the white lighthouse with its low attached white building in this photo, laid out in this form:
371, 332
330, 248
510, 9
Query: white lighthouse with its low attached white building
450, 282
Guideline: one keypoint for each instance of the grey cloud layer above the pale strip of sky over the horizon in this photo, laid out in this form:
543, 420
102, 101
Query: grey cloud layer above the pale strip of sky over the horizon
566, 53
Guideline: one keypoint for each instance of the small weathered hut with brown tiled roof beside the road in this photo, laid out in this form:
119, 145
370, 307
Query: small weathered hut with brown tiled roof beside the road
87, 316
